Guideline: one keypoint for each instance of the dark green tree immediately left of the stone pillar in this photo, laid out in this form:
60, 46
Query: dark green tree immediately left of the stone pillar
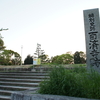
79, 57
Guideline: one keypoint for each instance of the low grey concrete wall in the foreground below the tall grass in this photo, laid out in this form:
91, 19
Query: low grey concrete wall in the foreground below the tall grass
26, 96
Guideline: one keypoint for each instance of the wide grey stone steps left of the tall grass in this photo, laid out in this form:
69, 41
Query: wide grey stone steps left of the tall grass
11, 82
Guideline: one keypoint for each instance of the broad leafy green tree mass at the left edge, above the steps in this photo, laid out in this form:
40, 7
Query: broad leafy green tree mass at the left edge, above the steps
8, 57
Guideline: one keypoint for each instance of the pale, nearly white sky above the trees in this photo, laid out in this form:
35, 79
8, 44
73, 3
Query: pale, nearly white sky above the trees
55, 24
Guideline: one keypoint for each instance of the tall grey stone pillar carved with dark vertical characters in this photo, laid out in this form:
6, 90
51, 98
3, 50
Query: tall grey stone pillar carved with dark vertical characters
92, 36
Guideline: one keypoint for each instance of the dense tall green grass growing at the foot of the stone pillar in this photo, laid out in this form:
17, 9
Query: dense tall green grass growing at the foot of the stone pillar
75, 82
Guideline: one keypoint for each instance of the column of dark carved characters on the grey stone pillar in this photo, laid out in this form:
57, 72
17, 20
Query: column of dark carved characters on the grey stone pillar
93, 43
